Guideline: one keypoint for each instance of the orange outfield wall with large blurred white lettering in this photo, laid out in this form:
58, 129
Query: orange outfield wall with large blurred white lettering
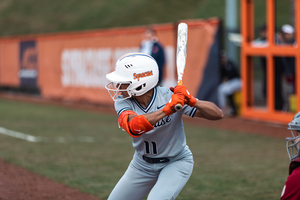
72, 66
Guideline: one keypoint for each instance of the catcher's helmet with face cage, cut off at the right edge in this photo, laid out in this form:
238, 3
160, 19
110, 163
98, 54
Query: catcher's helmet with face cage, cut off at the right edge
292, 143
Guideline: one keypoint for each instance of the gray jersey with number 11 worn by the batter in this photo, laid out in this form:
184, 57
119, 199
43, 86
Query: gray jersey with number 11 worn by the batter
167, 139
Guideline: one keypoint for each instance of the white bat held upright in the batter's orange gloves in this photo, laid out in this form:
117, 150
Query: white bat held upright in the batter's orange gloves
181, 55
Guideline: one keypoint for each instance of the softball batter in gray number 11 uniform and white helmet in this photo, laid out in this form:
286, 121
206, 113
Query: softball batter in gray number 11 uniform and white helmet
162, 162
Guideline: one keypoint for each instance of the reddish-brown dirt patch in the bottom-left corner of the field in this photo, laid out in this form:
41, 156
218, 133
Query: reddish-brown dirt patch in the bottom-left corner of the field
19, 184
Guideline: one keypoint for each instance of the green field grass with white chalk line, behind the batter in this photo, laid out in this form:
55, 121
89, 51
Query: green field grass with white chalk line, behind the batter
228, 165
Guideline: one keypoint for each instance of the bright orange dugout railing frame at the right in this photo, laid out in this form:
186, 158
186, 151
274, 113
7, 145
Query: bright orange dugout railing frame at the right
269, 51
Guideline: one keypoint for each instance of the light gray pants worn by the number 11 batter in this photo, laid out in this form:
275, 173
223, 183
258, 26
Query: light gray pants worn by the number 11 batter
164, 181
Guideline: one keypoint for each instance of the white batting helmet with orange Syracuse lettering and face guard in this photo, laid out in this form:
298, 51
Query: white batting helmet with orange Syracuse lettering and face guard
137, 70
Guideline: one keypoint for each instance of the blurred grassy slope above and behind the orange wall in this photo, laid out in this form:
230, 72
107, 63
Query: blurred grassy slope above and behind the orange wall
18, 17
